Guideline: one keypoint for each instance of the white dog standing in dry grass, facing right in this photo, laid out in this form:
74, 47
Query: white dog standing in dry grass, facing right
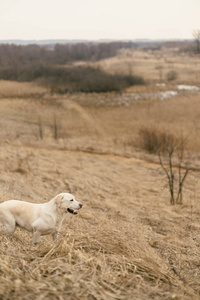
45, 218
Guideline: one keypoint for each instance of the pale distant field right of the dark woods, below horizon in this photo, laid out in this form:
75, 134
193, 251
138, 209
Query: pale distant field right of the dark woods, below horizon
156, 66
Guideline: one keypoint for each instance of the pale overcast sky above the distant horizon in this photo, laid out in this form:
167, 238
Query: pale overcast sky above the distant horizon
98, 19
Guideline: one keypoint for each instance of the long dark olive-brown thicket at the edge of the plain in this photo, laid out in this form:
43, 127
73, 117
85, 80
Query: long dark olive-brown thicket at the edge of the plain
71, 79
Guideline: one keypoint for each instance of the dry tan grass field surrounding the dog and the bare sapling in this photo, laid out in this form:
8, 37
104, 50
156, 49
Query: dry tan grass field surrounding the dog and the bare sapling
127, 242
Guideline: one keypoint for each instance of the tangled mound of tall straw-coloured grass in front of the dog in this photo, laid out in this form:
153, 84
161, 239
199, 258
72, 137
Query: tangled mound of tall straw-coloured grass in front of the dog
86, 263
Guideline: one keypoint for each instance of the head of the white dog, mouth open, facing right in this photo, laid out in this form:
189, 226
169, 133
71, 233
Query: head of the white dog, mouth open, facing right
67, 202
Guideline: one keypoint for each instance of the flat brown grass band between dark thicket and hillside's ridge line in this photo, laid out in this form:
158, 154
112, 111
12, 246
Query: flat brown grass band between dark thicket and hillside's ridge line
105, 128
